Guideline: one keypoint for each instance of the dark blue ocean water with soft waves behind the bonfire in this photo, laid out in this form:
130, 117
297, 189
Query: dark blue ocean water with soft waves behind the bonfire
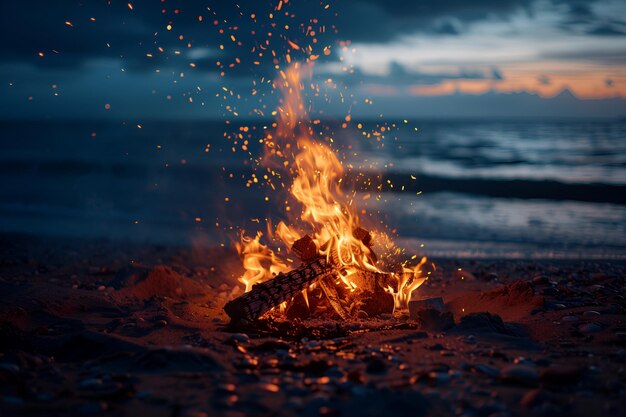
465, 189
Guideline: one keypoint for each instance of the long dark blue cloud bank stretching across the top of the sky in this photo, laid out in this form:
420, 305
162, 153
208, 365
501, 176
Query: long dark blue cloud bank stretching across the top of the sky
31, 26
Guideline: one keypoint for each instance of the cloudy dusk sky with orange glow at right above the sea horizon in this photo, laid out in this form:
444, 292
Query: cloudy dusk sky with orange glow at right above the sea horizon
164, 59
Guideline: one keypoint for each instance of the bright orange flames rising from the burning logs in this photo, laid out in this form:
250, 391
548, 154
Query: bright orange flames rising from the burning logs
326, 216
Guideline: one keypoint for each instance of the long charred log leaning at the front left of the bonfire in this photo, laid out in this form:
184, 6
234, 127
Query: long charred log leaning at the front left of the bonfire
266, 295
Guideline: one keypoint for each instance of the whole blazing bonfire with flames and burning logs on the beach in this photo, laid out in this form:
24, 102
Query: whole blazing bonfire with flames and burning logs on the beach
352, 271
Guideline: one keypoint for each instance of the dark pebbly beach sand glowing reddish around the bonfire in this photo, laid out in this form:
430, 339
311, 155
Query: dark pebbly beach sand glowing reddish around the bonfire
92, 327
